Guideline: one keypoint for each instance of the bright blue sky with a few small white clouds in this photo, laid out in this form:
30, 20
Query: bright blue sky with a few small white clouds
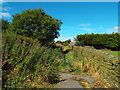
77, 17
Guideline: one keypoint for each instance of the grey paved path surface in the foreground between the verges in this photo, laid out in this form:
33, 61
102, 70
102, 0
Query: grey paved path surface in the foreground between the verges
66, 81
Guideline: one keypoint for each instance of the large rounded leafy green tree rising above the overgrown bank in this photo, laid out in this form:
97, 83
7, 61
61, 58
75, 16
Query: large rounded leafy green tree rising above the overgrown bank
36, 24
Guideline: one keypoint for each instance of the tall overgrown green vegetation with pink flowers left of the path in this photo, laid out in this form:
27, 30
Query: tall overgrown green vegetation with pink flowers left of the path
25, 60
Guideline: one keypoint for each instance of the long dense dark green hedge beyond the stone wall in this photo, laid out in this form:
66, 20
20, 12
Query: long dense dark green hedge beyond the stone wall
110, 41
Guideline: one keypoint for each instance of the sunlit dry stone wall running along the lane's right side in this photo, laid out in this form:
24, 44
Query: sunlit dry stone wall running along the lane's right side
104, 63
